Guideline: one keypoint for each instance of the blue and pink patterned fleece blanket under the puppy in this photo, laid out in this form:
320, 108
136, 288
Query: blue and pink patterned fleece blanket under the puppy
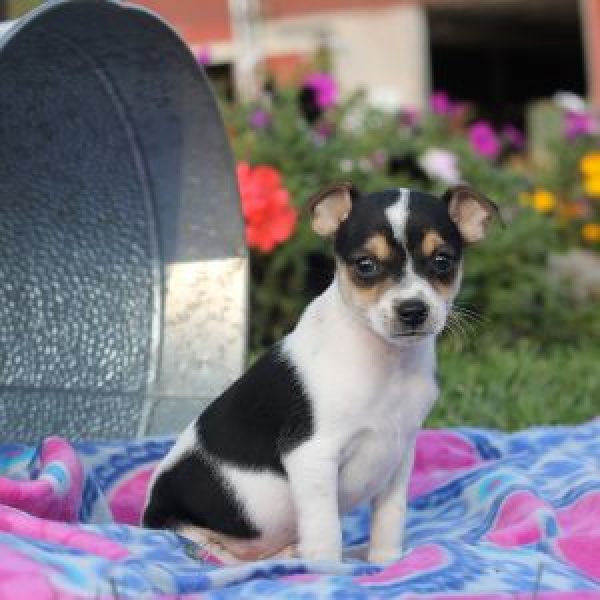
492, 516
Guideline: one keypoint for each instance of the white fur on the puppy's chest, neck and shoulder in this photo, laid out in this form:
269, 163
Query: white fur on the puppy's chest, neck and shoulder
369, 398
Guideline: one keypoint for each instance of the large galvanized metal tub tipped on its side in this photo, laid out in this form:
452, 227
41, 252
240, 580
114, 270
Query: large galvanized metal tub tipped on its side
123, 268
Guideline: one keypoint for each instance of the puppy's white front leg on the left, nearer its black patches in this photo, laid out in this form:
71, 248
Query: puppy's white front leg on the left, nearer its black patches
313, 475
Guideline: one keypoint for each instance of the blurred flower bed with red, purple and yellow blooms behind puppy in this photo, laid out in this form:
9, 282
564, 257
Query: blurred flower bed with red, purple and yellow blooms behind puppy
297, 151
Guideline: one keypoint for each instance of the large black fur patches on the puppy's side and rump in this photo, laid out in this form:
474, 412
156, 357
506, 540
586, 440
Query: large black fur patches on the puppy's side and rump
256, 421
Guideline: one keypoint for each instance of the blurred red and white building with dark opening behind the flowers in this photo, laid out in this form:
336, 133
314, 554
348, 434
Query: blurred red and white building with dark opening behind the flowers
500, 54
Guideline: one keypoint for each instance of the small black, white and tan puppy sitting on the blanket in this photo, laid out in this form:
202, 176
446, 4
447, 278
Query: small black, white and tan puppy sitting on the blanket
327, 419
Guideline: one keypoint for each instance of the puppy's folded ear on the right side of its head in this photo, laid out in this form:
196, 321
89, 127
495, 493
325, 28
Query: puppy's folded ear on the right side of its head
471, 211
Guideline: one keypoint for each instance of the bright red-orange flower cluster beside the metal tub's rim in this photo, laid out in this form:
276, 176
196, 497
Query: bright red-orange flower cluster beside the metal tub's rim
270, 218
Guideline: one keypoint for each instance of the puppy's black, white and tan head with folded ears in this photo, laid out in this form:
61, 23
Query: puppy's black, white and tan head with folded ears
399, 253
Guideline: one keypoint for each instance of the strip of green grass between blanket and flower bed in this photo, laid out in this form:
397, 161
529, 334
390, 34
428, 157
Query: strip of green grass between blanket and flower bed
511, 387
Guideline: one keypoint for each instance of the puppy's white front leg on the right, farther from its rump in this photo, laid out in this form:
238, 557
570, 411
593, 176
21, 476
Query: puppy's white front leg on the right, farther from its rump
389, 512
